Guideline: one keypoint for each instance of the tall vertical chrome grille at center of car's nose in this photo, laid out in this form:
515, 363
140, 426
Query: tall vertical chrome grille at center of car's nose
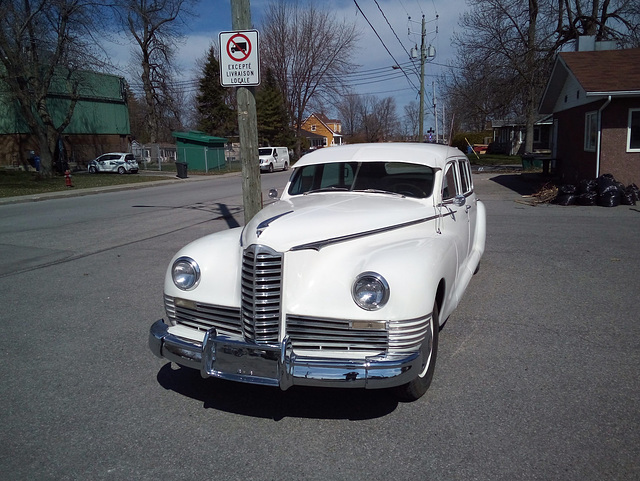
261, 294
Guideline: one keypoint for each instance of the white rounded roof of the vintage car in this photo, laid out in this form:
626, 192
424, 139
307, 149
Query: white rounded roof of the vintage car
433, 155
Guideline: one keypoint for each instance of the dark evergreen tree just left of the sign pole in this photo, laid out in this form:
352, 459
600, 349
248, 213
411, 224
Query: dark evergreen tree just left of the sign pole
215, 116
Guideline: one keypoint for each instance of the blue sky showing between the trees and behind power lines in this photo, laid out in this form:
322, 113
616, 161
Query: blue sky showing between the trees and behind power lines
390, 19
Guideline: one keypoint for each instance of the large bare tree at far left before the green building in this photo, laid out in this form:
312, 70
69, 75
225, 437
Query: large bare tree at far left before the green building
44, 44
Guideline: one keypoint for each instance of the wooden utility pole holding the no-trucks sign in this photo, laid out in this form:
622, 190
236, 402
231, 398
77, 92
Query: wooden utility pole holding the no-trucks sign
247, 125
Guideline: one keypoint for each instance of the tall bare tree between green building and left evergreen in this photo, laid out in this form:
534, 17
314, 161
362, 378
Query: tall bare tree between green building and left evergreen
154, 25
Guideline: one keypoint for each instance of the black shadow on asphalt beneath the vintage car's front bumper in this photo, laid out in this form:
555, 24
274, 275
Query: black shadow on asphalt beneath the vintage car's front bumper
272, 403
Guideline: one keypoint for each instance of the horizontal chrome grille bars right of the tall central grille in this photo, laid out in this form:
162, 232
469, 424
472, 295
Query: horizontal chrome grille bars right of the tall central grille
321, 334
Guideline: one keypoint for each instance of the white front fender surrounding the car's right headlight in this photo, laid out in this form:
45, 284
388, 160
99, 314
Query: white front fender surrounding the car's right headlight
319, 283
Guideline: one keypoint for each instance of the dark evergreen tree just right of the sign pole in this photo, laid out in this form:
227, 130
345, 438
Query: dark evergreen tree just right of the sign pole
274, 125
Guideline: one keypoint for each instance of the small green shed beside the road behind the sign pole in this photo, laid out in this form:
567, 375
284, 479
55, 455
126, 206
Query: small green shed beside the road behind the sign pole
199, 150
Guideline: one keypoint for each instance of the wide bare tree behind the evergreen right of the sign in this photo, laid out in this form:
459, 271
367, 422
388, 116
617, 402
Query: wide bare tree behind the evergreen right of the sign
308, 50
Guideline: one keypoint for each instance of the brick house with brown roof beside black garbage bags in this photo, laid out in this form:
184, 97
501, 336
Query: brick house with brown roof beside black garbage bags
594, 97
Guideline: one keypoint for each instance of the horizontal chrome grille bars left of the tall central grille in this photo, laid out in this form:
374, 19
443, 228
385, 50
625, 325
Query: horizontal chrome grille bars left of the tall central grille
201, 316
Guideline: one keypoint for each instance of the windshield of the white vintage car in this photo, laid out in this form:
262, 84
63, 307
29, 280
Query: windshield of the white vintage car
410, 180
